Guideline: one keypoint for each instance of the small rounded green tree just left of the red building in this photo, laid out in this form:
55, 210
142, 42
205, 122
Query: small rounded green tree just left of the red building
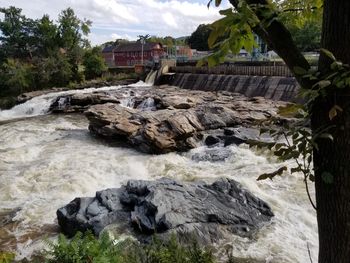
94, 63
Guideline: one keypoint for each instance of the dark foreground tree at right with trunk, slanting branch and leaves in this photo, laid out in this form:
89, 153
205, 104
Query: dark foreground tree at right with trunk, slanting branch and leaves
329, 109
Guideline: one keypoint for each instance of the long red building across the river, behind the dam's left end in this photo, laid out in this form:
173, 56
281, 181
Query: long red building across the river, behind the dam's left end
129, 54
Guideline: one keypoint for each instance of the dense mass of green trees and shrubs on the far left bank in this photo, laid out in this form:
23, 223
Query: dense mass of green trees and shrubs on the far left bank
37, 54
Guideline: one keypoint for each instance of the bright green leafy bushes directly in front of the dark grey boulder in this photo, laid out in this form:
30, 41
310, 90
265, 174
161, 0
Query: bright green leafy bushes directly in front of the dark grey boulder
86, 248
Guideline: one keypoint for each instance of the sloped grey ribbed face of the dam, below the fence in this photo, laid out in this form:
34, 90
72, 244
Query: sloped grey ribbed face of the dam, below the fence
270, 87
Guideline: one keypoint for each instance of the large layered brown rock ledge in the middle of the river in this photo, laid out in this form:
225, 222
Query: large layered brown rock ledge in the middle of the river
177, 119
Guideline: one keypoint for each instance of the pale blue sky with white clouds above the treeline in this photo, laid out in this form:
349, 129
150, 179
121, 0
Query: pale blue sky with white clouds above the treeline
114, 19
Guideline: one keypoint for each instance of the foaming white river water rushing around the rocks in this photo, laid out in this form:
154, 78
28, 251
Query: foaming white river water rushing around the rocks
47, 161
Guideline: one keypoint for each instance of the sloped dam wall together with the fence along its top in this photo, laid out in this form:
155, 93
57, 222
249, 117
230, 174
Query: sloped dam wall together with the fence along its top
270, 82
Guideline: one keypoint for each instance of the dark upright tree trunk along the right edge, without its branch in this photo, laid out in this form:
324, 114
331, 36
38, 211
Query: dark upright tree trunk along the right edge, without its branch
332, 159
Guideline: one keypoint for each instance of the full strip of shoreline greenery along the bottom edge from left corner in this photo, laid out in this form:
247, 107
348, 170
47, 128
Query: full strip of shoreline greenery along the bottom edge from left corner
83, 248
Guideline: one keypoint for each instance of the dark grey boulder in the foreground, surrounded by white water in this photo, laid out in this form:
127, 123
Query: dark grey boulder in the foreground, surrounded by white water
207, 212
